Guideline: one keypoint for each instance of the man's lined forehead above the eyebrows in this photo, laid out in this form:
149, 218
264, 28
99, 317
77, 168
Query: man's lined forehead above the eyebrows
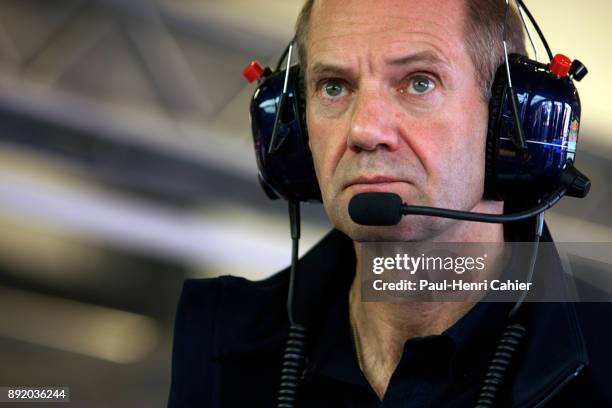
368, 28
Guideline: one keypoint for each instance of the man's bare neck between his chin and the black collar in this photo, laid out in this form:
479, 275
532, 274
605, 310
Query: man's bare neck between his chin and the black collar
381, 329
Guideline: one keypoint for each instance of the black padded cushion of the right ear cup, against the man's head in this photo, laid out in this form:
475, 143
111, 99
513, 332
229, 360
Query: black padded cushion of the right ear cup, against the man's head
496, 102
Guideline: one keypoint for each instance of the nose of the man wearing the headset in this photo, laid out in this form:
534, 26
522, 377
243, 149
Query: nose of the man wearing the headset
372, 124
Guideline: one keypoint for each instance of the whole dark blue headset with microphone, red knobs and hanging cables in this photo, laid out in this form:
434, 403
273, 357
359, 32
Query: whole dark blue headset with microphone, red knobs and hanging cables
532, 135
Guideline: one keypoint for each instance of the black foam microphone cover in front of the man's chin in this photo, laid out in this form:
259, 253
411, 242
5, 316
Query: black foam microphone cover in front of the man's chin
375, 208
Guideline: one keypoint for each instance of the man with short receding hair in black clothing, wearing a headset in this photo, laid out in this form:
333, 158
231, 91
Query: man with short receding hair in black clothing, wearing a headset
397, 99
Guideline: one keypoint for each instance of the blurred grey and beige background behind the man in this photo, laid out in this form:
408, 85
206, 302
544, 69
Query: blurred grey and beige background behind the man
126, 166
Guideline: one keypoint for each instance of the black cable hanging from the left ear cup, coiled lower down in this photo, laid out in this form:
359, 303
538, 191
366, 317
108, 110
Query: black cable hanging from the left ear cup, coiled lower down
294, 356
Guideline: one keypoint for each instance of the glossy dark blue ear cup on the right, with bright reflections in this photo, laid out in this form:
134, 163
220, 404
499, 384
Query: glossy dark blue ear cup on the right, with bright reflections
549, 115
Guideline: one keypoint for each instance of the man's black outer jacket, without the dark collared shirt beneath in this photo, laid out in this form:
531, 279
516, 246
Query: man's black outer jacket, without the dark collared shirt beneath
230, 334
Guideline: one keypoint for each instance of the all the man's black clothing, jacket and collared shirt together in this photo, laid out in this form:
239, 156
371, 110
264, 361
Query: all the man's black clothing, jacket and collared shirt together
230, 335
